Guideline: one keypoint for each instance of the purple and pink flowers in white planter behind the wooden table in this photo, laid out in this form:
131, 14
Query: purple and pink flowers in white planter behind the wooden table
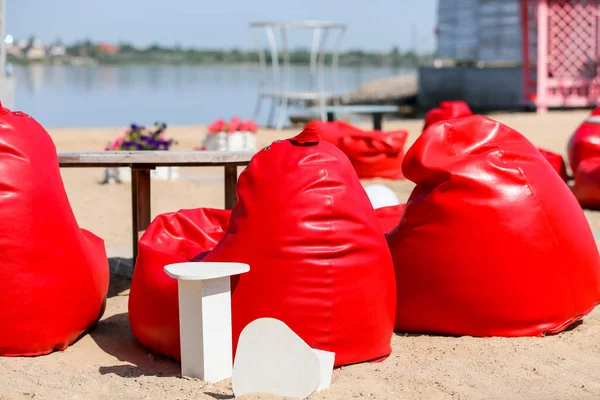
140, 138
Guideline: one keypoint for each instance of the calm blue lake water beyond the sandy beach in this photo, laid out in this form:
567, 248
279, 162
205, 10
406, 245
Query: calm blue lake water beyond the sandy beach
95, 96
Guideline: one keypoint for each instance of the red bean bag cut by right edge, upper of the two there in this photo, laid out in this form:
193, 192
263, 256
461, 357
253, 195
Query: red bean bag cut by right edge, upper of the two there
585, 141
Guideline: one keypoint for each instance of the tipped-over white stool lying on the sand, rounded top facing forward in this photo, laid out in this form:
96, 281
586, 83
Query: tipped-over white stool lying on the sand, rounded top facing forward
271, 358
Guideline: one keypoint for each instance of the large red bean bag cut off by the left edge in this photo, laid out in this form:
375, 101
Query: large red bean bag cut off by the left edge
53, 275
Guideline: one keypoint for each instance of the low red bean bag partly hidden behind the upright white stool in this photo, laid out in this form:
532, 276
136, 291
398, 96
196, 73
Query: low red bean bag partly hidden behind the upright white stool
181, 236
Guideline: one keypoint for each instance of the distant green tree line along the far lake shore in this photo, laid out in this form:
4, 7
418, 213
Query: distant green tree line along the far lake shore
126, 53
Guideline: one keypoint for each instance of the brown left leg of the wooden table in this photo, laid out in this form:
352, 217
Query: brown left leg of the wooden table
140, 204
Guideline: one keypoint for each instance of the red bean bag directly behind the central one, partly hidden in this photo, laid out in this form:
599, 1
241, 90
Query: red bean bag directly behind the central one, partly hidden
373, 154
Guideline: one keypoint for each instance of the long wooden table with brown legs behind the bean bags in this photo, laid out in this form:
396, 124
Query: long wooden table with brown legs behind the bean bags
141, 162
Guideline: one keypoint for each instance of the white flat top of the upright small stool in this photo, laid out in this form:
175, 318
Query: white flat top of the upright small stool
199, 271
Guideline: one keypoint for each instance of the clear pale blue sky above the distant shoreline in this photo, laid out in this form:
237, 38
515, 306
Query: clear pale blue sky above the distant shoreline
374, 25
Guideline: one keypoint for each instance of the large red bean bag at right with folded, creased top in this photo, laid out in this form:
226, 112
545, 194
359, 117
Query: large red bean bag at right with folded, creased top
492, 242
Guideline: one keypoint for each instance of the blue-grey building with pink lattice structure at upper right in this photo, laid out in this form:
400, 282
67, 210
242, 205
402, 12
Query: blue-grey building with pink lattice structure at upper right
536, 53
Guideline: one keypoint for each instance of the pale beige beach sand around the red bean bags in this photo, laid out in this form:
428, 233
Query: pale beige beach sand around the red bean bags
108, 363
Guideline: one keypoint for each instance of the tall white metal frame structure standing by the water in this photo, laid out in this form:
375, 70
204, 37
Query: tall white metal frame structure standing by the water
276, 72
